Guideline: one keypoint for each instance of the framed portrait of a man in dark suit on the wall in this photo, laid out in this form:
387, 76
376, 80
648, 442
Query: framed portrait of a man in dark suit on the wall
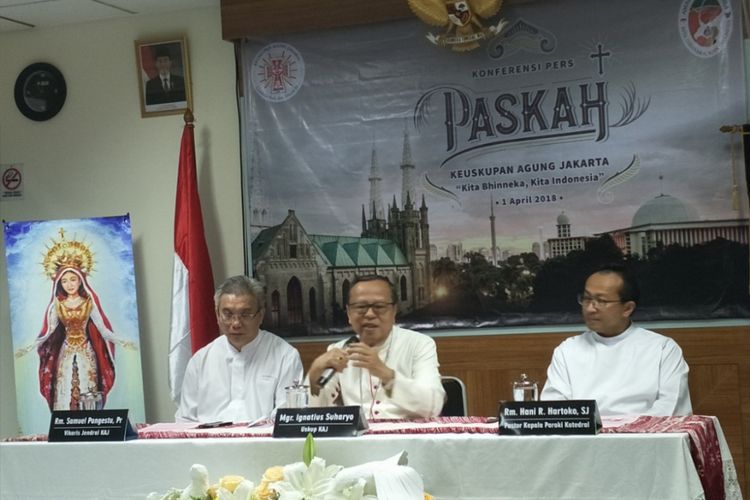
163, 76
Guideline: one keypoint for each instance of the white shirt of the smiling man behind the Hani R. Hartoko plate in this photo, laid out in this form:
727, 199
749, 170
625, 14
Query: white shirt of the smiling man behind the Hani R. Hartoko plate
638, 372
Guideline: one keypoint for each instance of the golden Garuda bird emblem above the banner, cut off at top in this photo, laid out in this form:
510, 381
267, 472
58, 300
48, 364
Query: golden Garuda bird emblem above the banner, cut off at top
461, 20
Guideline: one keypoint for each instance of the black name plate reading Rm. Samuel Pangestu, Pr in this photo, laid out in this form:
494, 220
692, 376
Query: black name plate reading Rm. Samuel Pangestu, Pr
90, 425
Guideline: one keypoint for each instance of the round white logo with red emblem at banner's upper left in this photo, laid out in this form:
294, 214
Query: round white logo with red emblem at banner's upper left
277, 72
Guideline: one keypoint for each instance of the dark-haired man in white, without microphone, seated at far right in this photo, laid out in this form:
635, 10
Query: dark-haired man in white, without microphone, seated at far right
628, 370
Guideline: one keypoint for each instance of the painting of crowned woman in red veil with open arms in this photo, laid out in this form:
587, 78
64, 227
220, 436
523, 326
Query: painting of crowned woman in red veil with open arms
74, 318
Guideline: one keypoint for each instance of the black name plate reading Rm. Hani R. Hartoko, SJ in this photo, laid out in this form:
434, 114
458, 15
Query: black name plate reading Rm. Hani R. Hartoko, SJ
527, 418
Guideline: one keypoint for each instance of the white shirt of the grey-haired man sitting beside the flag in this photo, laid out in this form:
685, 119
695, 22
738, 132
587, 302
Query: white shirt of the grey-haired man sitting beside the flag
223, 384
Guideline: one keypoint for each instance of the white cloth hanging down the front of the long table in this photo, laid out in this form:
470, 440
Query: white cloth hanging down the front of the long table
453, 466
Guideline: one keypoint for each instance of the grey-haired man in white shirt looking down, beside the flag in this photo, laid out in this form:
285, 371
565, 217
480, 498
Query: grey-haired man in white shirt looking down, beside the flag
241, 375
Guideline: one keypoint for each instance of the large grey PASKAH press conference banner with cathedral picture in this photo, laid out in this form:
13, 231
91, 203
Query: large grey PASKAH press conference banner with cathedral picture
487, 183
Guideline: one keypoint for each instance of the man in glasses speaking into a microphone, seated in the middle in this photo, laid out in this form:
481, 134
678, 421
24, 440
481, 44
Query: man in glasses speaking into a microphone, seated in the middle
390, 371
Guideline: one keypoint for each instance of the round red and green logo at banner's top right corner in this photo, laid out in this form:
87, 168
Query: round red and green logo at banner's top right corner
705, 26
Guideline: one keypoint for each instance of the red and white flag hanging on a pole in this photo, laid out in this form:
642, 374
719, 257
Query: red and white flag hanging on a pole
193, 321
